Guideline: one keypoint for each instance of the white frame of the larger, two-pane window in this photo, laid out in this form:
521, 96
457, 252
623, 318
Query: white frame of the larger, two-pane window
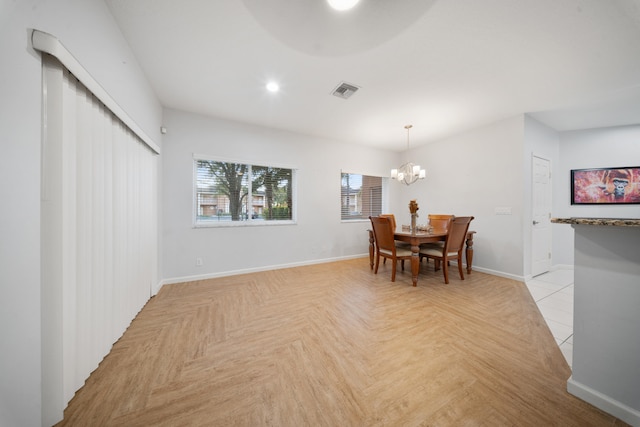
248, 222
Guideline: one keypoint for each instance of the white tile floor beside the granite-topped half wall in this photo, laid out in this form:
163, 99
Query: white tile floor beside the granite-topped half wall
553, 292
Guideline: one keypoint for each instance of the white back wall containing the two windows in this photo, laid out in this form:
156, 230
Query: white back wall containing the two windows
318, 234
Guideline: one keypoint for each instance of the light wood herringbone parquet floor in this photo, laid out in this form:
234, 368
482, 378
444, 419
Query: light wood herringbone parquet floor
335, 345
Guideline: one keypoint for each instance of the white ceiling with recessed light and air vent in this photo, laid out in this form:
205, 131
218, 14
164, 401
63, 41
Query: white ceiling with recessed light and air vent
444, 66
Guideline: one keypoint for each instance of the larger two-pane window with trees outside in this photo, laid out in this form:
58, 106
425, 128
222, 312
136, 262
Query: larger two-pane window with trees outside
236, 193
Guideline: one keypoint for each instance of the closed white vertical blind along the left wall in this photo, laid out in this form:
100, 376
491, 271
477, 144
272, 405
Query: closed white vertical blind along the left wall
106, 183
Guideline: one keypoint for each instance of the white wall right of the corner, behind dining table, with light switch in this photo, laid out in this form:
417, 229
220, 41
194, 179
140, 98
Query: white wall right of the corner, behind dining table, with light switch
472, 174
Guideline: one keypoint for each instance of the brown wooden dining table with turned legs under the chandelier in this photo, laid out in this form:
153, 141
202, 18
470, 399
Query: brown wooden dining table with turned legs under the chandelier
415, 239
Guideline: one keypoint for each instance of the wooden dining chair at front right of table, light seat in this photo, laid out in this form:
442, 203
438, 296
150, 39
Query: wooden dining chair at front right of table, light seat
453, 246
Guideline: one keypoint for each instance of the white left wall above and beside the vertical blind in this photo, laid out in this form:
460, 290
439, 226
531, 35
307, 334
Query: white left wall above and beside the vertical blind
88, 31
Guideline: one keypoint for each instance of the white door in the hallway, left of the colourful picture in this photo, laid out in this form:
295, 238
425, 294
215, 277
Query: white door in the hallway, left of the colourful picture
541, 227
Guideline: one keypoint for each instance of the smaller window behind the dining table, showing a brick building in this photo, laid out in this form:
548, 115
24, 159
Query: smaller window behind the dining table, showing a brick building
361, 196
